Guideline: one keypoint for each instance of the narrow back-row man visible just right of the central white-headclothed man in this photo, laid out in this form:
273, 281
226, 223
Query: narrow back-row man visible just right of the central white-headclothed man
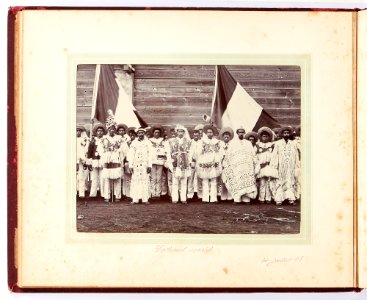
194, 184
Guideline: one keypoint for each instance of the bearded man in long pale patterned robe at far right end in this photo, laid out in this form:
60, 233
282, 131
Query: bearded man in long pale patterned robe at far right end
286, 162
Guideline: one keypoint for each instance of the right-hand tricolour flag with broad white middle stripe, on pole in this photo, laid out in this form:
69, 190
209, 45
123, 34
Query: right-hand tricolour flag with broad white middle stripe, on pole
234, 107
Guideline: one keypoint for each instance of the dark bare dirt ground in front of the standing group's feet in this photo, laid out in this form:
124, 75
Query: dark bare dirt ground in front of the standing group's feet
195, 217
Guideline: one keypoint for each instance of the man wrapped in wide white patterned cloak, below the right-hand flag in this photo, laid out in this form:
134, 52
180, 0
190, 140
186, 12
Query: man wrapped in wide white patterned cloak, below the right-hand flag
239, 169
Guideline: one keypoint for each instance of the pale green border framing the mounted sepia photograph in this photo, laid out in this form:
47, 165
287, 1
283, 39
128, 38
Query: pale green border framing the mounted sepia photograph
305, 235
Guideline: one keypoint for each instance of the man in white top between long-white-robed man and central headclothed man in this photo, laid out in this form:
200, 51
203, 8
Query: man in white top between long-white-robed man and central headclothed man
159, 157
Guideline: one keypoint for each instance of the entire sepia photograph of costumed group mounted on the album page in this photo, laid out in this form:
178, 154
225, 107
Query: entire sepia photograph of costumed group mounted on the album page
210, 149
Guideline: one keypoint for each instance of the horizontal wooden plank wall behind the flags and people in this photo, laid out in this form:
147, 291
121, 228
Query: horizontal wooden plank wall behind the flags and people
171, 94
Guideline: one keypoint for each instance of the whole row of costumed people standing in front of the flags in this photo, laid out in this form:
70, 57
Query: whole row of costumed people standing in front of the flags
145, 164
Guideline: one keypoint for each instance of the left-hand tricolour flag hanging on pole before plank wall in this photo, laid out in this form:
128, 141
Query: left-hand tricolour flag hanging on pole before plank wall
109, 94
